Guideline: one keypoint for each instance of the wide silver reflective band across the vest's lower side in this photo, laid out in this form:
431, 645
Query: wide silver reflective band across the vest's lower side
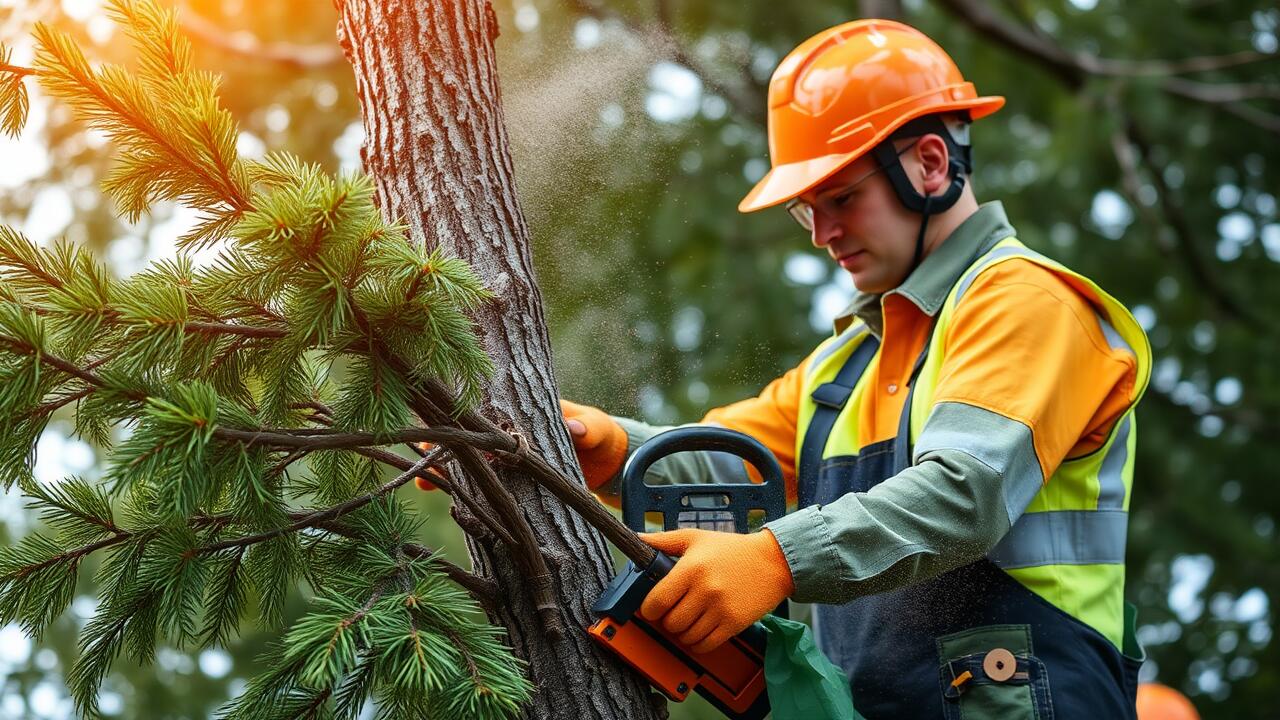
1064, 537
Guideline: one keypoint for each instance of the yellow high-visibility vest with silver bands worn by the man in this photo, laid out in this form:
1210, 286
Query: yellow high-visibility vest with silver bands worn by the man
1069, 545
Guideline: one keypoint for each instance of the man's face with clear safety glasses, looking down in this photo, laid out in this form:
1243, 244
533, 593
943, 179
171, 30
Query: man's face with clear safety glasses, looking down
865, 229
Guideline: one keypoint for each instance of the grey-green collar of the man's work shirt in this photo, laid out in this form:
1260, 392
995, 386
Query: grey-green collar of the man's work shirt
932, 281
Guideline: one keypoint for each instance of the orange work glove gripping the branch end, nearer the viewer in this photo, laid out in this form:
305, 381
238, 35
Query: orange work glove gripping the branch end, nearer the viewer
723, 584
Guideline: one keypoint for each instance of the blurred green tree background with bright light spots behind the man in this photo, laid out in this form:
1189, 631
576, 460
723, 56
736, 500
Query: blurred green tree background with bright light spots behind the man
1139, 147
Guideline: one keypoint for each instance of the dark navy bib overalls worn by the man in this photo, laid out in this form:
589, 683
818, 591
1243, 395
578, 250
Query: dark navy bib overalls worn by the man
907, 651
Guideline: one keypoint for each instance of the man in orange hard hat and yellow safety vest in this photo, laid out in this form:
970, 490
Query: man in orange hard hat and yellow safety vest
961, 450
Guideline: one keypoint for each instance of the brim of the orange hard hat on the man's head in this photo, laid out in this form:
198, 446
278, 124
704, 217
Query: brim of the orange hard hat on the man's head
792, 180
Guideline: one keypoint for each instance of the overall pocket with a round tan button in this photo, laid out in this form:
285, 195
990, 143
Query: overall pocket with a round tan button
993, 673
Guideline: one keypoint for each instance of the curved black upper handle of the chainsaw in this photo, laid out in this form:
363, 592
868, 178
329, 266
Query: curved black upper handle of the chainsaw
638, 498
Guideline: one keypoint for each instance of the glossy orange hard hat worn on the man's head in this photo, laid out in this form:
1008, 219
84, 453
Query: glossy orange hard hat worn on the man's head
844, 92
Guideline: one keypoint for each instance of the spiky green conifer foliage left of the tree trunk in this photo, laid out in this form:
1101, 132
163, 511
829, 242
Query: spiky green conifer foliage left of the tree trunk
313, 297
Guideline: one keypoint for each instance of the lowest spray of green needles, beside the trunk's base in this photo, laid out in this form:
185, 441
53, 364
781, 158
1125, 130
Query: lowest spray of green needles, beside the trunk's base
419, 653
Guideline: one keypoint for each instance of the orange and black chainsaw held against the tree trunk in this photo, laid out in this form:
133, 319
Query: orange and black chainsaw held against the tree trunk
733, 676
